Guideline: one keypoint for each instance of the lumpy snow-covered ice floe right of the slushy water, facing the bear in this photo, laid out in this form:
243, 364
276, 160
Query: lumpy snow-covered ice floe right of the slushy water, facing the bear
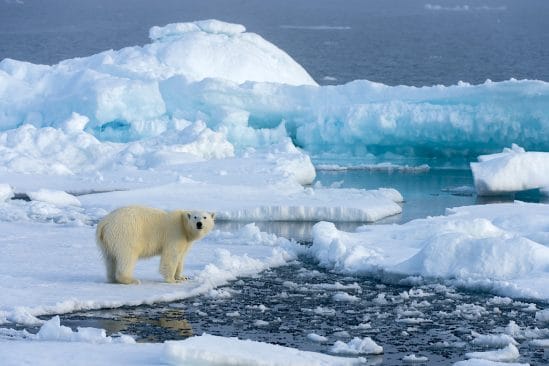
502, 248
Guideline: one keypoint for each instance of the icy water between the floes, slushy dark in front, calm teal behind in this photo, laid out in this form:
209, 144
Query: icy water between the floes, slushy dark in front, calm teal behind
287, 304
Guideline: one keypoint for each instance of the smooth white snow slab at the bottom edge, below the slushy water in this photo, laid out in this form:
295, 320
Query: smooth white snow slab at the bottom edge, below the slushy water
212, 350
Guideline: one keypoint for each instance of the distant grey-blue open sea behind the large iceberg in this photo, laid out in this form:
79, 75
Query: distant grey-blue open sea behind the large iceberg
410, 42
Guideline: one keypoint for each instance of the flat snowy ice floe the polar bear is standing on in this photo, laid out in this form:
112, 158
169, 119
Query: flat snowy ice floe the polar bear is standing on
53, 269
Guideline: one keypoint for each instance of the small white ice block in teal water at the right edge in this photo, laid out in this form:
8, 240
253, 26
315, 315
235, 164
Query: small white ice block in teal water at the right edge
510, 171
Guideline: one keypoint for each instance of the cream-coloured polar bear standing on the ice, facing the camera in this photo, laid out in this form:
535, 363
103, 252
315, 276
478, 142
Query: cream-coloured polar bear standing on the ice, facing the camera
134, 232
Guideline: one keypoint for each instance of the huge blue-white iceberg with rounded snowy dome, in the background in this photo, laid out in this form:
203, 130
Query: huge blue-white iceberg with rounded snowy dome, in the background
241, 85
